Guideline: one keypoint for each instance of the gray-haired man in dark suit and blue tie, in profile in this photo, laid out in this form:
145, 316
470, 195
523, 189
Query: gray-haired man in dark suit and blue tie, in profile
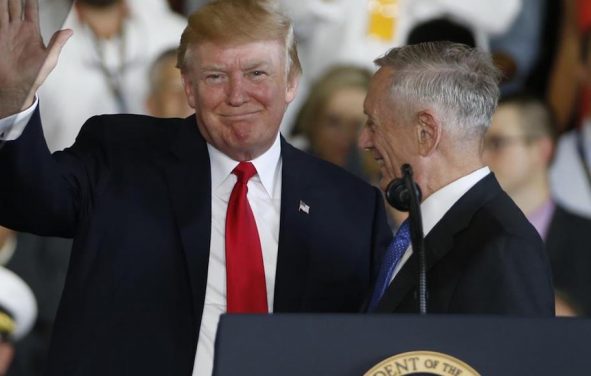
429, 105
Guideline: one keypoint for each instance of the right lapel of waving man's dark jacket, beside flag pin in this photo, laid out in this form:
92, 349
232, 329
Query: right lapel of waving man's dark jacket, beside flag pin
293, 248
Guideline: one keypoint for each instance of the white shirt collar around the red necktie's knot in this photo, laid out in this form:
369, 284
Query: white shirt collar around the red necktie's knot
267, 166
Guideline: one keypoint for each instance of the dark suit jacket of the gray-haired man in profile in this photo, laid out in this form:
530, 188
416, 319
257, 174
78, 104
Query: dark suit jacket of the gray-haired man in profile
483, 256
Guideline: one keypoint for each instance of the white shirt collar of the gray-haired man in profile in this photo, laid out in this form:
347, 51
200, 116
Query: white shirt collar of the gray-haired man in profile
436, 205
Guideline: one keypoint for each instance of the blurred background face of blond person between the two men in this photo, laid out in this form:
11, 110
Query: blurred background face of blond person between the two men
334, 135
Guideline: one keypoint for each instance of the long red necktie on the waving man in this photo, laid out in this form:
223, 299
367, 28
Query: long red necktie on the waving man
245, 274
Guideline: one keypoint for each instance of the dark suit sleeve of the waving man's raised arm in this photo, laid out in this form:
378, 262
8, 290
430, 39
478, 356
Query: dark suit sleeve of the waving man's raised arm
43, 193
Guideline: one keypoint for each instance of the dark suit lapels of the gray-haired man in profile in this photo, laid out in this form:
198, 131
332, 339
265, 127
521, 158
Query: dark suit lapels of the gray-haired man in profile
439, 241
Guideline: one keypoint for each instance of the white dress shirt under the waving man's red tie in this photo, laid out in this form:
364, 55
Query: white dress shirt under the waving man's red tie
264, 197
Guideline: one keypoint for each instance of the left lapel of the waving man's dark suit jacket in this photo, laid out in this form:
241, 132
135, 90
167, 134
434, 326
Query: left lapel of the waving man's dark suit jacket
189, 181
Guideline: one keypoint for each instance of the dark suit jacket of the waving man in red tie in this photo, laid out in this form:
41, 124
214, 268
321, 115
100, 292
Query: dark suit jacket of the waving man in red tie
135, 194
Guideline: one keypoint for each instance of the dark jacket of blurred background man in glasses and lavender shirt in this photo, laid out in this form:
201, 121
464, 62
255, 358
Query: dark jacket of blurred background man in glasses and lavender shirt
568, 245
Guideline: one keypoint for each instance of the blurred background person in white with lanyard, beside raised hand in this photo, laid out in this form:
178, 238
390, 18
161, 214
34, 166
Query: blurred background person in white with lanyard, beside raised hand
103, 69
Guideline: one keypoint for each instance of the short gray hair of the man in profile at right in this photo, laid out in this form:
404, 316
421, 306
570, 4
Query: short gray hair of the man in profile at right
460, 83
